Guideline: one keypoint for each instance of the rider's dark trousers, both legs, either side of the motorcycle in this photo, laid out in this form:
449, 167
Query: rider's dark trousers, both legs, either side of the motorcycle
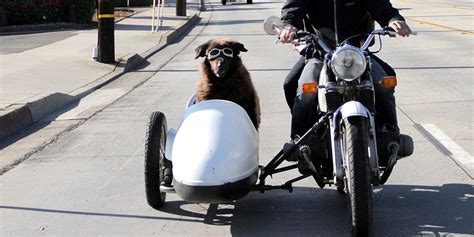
303, 106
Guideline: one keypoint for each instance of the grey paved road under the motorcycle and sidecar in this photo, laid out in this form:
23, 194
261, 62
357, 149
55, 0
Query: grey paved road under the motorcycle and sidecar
85, 176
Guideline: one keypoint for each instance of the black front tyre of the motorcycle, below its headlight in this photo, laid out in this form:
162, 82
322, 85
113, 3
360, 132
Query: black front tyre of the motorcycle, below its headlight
358, 176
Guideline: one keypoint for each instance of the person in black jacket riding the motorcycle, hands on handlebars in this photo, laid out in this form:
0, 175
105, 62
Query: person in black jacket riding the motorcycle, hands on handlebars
353, 17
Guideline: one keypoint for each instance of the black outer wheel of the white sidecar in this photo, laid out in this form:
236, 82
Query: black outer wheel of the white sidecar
155, 159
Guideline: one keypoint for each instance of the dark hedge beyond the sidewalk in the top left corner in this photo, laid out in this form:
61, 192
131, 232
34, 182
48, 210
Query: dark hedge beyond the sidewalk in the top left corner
46, 11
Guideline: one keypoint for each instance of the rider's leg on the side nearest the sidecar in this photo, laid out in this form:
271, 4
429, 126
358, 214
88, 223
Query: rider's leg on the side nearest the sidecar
304, 113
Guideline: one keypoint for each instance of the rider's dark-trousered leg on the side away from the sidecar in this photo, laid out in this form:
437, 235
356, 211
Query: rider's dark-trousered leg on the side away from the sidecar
386, 112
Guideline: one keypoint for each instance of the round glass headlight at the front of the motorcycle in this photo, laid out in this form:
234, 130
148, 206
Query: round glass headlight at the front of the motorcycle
348, 63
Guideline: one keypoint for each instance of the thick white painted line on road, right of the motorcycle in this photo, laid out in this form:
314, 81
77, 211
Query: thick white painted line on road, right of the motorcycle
462, 157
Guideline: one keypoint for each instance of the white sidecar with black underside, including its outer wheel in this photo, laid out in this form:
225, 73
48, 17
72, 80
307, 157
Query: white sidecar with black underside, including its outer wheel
214, 154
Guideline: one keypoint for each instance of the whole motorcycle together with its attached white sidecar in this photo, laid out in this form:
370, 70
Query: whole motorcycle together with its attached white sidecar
207, 160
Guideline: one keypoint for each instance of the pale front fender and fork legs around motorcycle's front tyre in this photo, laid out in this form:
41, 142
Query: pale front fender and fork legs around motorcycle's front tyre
351, 109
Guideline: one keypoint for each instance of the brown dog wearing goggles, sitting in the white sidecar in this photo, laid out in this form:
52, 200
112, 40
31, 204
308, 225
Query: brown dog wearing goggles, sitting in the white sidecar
223, 76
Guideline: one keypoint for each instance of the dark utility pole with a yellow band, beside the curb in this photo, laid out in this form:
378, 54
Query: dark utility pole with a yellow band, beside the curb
106, 44
